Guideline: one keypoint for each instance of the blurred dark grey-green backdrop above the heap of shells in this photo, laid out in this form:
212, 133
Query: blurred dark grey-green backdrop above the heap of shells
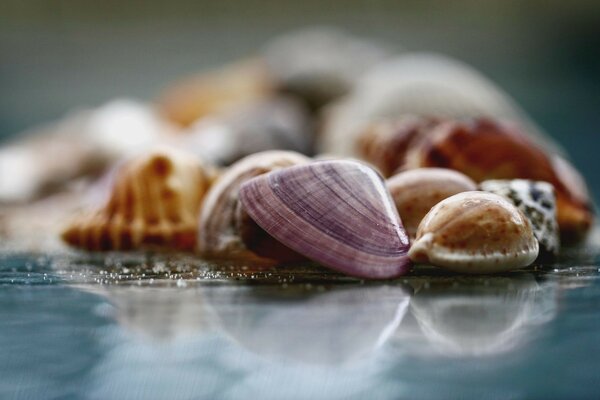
64, 54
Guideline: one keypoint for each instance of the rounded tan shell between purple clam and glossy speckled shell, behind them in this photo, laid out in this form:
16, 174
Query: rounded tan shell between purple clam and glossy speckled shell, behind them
414, 192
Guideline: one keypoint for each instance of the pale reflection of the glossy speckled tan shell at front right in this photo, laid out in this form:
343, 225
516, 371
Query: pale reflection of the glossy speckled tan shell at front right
471, 317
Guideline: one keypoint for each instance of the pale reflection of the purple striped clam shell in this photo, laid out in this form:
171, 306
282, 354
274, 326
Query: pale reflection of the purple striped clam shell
340, 326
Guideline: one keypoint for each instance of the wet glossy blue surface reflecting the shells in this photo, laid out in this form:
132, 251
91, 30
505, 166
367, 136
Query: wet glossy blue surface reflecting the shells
155, 327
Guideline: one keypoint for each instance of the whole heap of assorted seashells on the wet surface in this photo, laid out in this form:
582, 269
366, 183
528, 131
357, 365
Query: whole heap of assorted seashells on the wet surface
425, 161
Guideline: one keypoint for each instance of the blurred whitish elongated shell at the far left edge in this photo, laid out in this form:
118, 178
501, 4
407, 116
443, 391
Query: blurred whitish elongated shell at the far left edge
35, 166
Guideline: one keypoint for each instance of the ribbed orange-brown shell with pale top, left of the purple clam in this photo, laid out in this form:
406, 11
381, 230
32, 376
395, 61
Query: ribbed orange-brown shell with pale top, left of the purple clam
154, 203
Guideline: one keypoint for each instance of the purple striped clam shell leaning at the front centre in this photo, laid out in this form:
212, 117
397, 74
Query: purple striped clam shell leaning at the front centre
337, 213
